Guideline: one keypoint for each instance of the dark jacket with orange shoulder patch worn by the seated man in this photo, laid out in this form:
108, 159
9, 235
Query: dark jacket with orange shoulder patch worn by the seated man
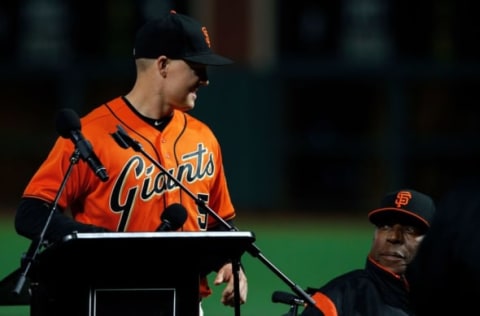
370, 292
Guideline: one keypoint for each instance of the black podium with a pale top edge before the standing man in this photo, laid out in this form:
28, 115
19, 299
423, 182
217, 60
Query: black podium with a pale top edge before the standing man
128, 274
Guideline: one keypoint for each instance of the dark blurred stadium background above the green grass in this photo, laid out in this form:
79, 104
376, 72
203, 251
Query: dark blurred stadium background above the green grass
357, 98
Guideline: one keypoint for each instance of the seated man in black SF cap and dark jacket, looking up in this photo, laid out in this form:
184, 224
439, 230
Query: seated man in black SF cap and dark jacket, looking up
381, 288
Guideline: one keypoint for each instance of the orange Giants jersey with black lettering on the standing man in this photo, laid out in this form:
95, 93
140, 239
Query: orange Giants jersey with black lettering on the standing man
137, 192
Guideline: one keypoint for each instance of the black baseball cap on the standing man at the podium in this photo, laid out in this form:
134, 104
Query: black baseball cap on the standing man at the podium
176, 36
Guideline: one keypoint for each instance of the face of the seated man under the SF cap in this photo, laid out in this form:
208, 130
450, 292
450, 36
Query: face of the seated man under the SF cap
395, 244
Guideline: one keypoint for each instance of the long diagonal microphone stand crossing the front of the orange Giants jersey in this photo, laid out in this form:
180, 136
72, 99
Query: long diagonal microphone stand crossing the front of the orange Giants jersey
125, 141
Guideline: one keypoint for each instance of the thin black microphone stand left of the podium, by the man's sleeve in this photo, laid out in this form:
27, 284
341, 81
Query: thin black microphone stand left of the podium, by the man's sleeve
35, 246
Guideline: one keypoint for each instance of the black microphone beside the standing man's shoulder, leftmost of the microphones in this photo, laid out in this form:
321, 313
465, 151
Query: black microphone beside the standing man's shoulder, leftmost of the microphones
68, 126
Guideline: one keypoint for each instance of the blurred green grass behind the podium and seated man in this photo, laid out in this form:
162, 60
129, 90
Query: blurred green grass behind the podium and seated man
307, 250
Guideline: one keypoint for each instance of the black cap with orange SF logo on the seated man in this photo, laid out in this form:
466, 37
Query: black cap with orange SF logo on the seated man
408, 204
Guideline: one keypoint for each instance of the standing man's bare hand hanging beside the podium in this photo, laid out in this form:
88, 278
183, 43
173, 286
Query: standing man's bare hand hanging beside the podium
225, 275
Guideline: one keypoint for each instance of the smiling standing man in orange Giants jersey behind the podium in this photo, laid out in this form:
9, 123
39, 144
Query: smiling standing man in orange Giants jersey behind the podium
171, 56
